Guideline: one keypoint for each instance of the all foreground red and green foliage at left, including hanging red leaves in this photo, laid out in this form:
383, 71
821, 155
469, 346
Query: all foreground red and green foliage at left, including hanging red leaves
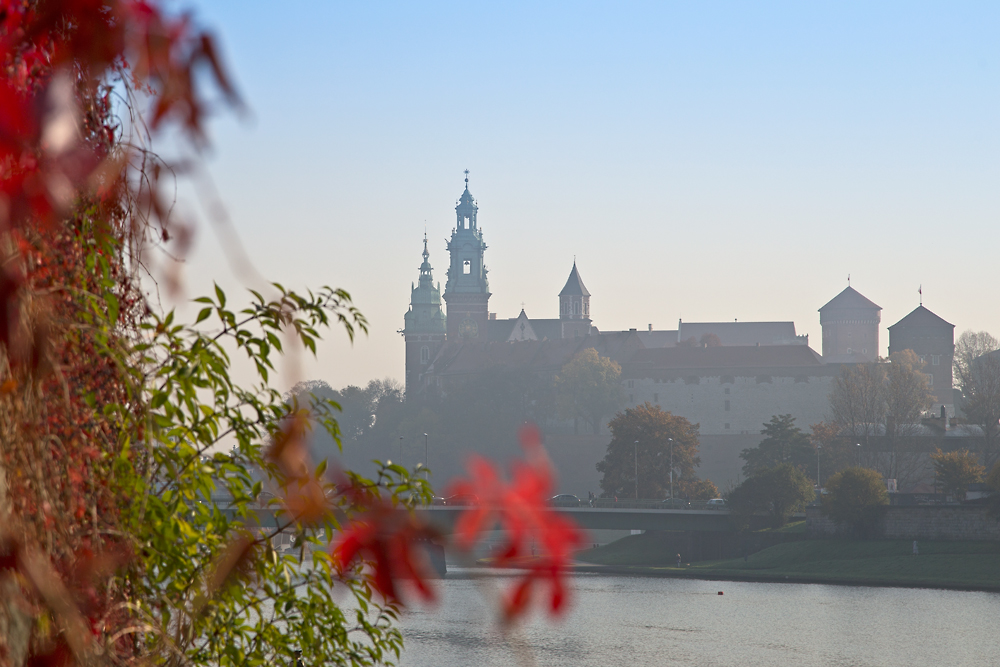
121, 427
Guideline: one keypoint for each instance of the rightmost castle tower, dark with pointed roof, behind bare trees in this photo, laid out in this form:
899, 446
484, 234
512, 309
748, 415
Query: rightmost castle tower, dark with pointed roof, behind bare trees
933, 340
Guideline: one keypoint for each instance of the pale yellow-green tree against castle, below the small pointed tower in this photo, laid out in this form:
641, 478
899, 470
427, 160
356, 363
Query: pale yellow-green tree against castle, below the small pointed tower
589, 388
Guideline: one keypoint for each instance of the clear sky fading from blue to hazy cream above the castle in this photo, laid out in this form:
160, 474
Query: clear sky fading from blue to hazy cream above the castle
705, 161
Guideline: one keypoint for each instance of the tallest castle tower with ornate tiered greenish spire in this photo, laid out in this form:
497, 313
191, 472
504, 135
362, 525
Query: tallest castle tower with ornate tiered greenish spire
467, 291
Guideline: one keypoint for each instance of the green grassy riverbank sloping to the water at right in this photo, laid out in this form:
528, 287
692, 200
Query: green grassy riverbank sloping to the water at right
952, 565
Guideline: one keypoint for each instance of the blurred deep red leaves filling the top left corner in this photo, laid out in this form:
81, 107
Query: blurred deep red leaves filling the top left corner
57, 131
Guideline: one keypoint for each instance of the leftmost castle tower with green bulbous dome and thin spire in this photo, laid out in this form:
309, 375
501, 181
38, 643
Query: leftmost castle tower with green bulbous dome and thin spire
424, 329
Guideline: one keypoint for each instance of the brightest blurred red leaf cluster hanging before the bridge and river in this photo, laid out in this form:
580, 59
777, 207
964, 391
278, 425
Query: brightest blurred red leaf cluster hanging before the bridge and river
521, 509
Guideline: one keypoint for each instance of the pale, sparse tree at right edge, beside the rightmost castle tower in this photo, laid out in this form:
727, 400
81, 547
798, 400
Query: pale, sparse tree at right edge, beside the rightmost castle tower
977, 374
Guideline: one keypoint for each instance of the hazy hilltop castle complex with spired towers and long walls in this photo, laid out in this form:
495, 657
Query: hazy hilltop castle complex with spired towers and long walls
729, 377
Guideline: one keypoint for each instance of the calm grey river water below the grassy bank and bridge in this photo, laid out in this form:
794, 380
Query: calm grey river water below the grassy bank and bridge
639, 621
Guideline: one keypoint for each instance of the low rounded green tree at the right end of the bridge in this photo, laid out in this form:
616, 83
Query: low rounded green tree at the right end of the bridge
779, 492
